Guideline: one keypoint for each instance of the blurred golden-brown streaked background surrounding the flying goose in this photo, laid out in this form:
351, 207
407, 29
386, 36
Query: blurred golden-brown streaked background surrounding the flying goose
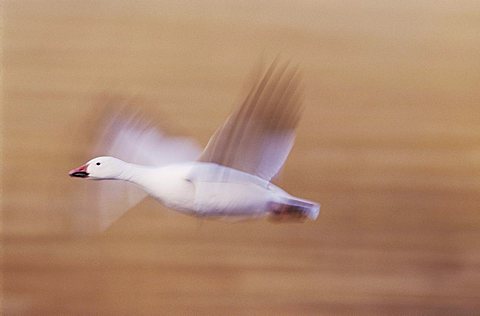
389, 144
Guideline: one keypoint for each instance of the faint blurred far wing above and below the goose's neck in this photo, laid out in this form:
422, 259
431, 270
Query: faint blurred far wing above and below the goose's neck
127, 136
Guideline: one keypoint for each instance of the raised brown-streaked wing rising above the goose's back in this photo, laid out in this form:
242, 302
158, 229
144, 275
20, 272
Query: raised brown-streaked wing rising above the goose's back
259, 135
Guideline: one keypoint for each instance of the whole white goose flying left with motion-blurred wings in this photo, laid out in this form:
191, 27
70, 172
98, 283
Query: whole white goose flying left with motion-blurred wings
229, 179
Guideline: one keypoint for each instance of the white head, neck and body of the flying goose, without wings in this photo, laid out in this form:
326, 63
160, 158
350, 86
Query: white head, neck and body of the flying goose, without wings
202, 189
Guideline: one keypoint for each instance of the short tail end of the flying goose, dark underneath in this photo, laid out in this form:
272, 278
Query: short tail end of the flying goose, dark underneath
293, 209
